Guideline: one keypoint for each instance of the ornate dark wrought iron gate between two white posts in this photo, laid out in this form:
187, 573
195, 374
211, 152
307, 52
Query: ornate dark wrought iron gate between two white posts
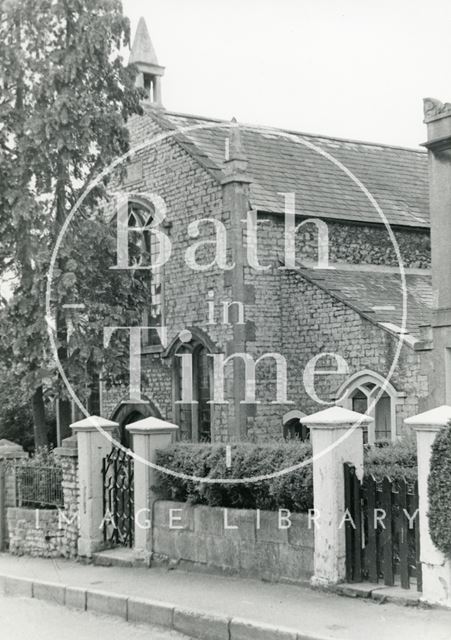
118, 498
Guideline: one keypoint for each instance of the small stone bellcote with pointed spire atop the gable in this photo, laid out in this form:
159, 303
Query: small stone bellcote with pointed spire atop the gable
144, 57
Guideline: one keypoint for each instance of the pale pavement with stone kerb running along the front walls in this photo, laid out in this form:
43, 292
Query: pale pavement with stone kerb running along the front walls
213, 607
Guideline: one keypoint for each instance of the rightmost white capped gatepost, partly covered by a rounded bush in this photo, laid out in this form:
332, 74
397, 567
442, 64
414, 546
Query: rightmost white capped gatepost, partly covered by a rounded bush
436, 567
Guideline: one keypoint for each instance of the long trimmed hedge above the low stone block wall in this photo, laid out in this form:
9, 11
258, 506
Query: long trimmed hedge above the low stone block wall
293, 491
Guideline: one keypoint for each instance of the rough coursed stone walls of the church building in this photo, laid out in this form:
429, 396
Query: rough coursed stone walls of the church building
283, 313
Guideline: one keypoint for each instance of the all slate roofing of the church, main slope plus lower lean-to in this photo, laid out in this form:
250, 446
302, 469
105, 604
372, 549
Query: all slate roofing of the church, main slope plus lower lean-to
285, 161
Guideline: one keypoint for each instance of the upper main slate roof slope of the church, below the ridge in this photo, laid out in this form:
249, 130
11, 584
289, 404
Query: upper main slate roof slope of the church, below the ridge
282, 161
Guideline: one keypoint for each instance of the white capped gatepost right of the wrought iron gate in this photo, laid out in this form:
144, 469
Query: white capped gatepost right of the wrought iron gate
149, 435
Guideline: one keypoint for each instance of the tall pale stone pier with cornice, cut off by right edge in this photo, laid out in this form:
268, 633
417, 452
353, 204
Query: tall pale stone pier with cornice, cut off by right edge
437, 117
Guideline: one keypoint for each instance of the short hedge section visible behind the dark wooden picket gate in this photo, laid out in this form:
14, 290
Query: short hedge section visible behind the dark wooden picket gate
393, 459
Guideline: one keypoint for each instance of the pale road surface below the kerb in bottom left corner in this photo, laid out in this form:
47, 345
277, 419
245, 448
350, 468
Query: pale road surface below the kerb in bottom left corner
25, 619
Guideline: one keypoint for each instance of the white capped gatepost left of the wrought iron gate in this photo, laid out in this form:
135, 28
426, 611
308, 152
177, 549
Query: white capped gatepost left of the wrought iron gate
93, 444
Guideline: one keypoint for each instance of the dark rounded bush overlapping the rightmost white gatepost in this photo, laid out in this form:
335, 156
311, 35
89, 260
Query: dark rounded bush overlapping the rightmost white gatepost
439, 490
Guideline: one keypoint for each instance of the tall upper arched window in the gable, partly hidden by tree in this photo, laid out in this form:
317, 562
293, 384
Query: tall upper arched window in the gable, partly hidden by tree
144, 250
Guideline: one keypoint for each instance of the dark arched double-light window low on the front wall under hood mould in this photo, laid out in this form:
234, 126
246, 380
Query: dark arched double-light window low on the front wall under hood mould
194, 418
